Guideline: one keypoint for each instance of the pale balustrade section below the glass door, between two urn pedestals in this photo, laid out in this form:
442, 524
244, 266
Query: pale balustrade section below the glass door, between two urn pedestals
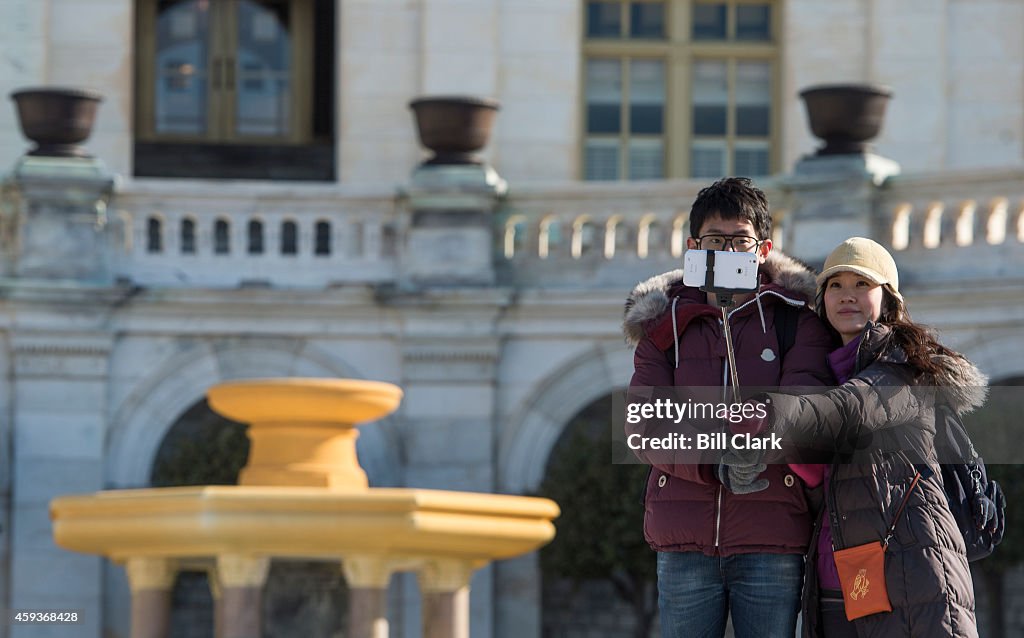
236, 235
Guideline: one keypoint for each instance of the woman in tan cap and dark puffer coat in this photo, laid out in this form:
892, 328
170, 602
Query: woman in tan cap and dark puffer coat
884, 482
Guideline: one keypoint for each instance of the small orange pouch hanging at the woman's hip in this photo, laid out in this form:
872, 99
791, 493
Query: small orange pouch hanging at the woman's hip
863, 577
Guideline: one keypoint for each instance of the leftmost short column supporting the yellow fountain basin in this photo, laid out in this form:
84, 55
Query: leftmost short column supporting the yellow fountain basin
151, 581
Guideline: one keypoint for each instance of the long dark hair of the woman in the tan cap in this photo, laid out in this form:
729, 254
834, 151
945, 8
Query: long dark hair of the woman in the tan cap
918, 342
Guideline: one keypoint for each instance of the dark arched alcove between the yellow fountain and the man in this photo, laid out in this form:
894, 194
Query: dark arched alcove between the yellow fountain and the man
599, 575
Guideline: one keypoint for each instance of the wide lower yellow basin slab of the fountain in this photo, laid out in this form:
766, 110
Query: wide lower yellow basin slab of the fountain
195, 523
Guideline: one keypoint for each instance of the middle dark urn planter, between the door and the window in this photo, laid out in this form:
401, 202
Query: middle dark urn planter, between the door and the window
454, 127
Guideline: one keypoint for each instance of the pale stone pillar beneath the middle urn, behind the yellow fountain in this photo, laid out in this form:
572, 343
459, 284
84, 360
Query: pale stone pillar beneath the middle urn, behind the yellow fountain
450, 346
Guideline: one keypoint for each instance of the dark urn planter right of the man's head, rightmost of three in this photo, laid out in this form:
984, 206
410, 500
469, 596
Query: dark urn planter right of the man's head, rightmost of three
846, 116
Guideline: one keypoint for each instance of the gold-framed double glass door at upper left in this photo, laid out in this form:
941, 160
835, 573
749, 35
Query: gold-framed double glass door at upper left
226, 71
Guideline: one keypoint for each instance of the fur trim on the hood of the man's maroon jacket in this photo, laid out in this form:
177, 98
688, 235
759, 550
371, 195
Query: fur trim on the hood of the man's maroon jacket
651, 300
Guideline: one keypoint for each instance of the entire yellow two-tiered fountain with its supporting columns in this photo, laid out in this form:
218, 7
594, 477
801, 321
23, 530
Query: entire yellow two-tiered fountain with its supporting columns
303, 495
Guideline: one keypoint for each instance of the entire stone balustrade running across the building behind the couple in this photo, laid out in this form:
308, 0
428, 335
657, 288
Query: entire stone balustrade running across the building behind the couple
590, 235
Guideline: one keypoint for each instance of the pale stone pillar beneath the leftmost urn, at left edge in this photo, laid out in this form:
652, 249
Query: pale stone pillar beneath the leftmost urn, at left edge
56, 250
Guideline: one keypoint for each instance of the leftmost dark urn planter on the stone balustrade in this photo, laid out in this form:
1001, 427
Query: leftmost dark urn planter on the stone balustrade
57, 119
